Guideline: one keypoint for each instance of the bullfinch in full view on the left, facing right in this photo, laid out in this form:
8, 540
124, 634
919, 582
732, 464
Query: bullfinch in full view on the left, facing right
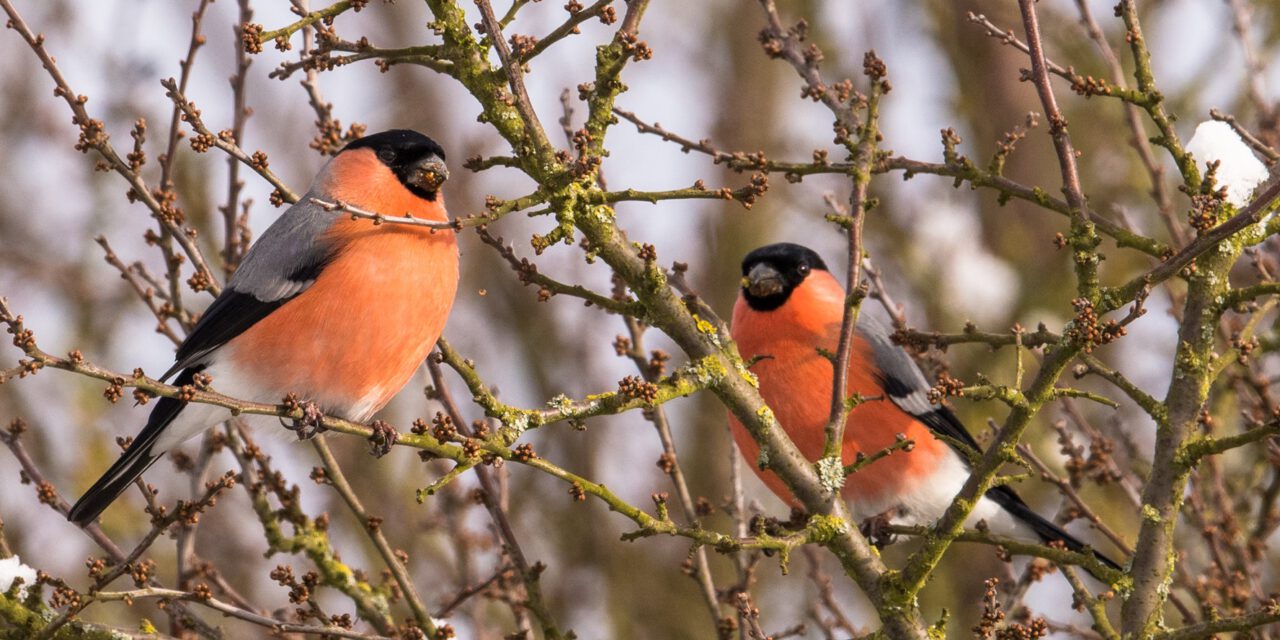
337, 310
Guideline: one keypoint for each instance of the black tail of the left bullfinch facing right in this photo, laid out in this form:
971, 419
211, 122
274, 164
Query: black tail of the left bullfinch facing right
136, 460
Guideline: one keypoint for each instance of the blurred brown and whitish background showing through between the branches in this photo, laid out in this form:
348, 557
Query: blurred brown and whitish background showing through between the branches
949, 255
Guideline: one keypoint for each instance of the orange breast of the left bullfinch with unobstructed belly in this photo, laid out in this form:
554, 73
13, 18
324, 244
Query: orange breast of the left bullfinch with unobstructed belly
358, 335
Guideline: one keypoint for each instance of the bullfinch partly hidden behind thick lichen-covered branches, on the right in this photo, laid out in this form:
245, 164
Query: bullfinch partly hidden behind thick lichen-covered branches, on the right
789, 310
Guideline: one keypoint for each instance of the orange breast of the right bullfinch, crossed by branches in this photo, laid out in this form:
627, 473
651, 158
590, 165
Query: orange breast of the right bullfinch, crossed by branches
797, 382
